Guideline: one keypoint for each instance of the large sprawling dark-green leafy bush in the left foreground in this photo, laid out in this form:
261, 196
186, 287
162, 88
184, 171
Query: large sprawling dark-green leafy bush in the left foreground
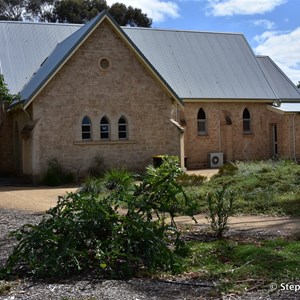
85, 231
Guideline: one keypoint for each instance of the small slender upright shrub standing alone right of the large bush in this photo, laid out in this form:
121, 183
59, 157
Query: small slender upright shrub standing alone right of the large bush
220, 207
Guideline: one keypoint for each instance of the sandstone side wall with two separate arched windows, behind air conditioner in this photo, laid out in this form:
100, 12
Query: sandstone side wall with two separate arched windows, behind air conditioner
230, 138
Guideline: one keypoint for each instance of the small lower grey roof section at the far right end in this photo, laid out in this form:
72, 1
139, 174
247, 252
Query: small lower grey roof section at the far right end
281, 84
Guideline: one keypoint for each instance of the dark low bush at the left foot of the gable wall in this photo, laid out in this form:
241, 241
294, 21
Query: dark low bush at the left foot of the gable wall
57, 174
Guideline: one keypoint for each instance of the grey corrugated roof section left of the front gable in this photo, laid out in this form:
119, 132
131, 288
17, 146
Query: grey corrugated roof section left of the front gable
24, 47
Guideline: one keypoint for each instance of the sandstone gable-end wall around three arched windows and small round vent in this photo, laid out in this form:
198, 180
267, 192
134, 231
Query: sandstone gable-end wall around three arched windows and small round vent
82, 88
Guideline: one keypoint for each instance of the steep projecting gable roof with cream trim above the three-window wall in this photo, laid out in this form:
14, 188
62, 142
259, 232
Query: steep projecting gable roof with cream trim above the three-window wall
67, 48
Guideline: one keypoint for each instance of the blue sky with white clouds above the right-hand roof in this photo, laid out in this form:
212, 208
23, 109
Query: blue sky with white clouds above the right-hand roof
272, 27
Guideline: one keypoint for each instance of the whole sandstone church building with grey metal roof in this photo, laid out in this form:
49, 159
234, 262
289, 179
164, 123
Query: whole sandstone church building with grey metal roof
128, 94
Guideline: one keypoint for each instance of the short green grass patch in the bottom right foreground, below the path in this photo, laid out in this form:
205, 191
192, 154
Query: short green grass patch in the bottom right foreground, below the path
239, 265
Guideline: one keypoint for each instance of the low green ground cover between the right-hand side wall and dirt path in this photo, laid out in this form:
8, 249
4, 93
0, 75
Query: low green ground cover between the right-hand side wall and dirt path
262, 187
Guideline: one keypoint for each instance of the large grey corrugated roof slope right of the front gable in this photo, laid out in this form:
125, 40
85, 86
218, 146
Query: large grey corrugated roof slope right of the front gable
202, 64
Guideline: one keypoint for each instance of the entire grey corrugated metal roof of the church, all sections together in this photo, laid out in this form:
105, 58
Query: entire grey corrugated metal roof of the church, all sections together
191, 65
